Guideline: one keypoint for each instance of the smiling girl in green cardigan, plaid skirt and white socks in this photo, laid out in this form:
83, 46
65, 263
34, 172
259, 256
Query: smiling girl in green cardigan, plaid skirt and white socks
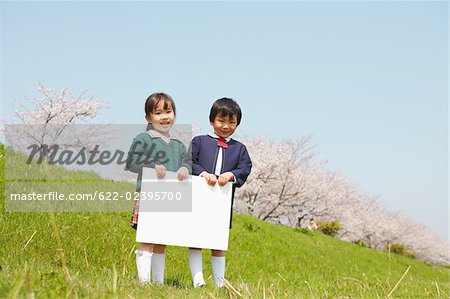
160, 114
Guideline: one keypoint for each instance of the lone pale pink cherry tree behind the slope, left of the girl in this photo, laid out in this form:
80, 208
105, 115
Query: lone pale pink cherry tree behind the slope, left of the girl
50, 119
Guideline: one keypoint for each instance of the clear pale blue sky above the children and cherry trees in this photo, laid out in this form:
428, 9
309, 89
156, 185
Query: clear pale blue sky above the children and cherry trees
368, 80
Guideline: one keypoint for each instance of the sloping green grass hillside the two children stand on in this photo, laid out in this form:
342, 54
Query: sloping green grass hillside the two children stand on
92, 255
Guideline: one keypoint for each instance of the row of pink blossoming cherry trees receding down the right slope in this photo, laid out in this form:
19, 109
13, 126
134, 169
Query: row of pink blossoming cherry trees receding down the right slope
288, 185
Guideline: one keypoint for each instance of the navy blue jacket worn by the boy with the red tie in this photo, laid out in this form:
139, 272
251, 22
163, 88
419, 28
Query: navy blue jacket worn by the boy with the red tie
235, 158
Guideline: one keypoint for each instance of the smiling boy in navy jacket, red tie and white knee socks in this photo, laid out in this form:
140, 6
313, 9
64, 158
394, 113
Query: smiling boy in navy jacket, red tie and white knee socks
219, 159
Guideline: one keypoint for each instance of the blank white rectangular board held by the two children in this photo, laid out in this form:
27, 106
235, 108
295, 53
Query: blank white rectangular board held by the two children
207, 226
